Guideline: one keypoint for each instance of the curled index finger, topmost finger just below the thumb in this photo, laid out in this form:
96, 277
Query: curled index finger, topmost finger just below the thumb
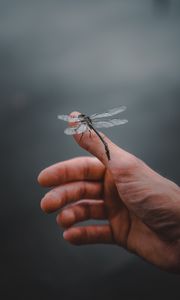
80, 168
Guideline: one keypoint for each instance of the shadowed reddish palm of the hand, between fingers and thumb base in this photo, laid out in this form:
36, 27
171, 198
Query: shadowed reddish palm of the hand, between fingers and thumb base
130, 232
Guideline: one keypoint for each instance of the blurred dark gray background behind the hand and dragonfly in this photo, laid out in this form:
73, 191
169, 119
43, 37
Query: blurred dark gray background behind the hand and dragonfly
60, 56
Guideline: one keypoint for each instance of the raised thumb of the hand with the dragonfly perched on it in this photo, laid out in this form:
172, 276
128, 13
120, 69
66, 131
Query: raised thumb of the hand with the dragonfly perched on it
103, 148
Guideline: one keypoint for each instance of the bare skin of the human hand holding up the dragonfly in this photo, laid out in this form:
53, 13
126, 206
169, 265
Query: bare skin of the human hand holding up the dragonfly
142, 207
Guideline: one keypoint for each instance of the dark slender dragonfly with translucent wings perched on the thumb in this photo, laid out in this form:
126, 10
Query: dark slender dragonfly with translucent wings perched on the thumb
83, 123
